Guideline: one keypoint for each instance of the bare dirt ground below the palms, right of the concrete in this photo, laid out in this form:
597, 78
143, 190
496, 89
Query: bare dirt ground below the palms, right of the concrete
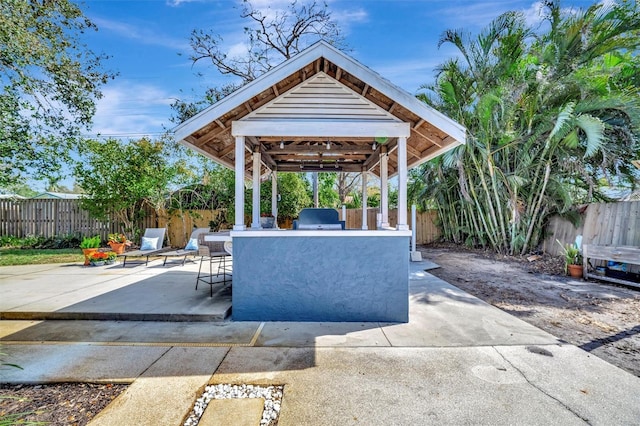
599, 317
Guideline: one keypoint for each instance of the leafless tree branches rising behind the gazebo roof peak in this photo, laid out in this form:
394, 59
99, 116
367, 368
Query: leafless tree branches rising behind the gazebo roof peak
272, 37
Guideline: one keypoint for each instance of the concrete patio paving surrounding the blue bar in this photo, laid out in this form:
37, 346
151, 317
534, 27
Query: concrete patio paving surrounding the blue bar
457, 361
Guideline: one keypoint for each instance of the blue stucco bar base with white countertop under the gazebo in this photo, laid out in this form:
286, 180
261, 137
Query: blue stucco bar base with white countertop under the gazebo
321, 276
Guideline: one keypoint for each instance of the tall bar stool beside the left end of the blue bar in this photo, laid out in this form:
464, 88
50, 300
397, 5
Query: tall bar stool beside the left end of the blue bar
213, 250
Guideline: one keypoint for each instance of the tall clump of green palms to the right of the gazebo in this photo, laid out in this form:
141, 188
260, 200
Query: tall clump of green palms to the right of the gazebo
548, 115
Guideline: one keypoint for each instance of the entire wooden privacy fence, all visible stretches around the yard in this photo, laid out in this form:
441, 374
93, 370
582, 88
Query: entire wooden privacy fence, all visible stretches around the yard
603, 224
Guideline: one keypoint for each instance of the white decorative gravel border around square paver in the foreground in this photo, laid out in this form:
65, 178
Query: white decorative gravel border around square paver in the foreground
272, 396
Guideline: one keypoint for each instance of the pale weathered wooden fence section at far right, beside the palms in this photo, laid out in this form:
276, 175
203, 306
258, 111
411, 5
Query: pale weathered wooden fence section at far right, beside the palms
614, 224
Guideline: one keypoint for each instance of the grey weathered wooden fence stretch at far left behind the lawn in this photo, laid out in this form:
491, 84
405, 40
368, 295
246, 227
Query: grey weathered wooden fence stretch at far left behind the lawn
53, 217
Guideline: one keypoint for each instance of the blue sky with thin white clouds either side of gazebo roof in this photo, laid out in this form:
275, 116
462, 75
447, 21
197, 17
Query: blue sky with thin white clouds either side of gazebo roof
148, 42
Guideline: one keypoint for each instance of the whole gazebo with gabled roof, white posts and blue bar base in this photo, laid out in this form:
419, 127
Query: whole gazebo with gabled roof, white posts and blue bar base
320, 111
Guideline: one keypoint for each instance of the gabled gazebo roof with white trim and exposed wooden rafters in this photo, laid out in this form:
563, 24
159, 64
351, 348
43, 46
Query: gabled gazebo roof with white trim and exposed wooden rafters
320, 110
